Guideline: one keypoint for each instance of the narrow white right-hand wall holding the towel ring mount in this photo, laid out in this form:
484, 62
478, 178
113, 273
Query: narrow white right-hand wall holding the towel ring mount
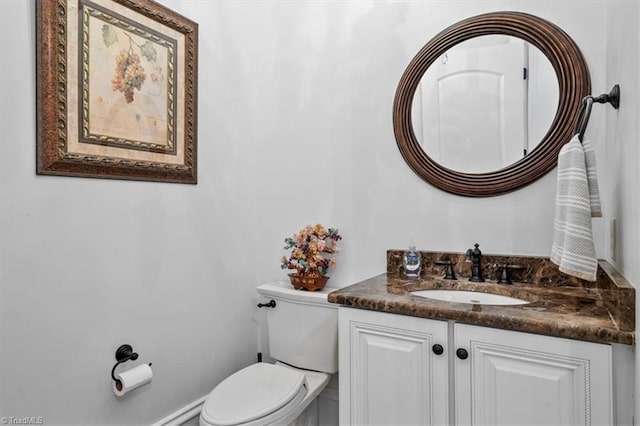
623, 155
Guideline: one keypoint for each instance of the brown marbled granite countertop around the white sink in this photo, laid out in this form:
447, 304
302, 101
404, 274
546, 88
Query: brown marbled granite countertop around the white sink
601, 312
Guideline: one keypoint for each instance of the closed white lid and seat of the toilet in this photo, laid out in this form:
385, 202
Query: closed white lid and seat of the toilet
258, 394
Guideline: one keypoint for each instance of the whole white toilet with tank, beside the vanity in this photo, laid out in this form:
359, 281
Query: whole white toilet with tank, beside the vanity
303, 339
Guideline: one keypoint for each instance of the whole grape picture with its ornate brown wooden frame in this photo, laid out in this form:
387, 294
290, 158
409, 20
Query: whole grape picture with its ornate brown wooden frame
116, 90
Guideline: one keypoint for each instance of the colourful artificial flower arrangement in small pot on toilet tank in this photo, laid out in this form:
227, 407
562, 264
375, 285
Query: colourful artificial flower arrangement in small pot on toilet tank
312, 250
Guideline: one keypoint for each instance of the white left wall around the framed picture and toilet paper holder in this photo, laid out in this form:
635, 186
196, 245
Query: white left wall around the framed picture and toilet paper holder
89, 264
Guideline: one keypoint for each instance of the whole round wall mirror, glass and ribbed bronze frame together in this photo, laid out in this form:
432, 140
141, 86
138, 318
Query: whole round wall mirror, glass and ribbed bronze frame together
469, 126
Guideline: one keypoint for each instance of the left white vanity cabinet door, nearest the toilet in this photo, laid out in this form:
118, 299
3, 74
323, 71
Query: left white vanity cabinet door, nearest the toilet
389, 373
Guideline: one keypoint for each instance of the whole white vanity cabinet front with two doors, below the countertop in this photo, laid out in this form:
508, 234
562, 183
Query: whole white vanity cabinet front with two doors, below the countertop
393, 372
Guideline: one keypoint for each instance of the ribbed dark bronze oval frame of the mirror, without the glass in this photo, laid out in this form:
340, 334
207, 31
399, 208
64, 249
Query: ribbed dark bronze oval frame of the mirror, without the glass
573, 84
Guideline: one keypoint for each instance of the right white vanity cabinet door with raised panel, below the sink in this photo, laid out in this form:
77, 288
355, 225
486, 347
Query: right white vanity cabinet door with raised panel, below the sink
512, 378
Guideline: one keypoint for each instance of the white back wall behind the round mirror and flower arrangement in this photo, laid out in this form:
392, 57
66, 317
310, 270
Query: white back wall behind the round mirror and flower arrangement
320, 141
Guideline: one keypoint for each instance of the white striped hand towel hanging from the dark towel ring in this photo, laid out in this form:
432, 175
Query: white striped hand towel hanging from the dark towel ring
577, 200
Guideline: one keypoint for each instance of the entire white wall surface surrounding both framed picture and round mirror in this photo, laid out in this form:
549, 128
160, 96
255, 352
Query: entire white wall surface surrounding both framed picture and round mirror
294, 127
